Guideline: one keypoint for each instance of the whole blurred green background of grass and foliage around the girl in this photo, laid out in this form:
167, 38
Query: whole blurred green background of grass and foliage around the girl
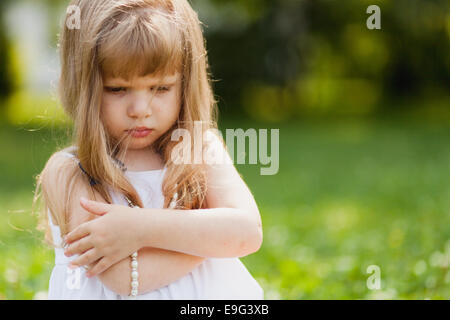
364, 120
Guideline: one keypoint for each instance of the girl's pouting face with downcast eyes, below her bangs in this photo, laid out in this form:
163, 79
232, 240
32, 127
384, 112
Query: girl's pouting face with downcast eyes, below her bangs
150, 102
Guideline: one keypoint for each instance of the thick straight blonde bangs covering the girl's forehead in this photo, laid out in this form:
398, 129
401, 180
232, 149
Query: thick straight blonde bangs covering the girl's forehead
148, 43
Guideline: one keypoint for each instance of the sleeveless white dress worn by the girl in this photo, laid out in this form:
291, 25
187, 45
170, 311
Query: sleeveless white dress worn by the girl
215, 278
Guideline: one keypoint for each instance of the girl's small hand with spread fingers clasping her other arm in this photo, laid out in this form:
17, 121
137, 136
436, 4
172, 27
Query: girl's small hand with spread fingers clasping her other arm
105, 240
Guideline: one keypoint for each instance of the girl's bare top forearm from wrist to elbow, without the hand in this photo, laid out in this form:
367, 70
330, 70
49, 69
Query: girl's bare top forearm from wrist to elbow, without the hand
217, 232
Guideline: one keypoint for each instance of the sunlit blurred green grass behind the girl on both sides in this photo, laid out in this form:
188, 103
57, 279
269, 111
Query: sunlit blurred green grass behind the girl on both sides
348, 194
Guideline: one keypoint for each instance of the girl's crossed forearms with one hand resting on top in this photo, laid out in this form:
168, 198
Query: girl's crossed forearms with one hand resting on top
165, 256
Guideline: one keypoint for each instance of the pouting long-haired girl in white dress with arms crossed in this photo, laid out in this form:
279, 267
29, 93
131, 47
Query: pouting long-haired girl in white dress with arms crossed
131, 75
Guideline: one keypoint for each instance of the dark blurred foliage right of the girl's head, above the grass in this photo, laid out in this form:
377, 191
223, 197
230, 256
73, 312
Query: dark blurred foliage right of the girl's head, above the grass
318, 57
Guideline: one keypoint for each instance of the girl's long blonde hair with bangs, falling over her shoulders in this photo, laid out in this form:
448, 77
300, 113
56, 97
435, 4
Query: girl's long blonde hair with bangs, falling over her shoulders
129, 38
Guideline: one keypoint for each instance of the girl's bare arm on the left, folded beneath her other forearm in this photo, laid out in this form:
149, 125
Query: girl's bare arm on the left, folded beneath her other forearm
156, 267
